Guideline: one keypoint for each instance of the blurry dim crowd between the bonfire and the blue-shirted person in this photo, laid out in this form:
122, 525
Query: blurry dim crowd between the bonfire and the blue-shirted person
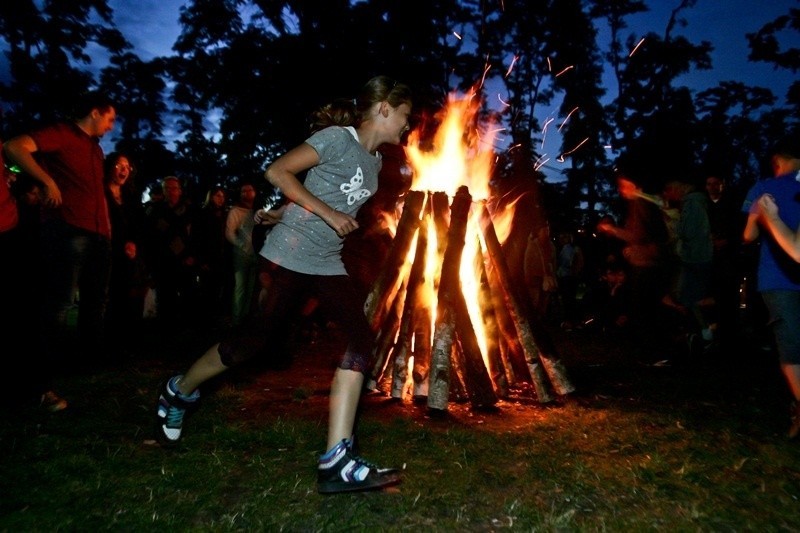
667, 276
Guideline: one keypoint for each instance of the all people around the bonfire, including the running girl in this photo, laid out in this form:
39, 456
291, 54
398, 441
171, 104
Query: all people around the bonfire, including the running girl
93, 257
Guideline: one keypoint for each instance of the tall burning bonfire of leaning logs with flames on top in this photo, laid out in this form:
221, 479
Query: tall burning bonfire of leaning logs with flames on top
443, 305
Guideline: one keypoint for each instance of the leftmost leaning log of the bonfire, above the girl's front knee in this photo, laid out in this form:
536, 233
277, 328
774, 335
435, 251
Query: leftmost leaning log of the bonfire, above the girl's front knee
394, 267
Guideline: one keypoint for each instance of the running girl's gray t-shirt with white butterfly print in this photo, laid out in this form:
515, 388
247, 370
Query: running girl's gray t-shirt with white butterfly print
346, 176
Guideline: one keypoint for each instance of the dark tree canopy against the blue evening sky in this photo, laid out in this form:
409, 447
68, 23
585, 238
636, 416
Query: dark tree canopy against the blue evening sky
243, 76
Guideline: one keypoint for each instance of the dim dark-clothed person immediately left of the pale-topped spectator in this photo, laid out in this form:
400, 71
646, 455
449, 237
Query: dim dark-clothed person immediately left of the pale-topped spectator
213, 256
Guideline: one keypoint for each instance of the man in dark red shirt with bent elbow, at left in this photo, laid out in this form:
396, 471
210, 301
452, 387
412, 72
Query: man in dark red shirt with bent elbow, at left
76, 232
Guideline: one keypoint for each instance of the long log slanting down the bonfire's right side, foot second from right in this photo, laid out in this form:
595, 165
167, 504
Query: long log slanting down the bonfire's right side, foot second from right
500, 269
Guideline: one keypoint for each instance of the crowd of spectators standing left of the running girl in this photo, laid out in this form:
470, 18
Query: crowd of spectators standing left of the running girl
100, 261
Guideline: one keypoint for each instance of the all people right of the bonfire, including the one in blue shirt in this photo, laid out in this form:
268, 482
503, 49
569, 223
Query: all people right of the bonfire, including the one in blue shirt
691, 273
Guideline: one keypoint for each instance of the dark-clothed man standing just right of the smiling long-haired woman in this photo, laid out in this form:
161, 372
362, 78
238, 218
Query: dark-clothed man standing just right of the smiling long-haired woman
171, 256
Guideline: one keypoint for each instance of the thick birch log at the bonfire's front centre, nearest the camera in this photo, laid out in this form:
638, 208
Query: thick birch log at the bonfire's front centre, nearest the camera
444, 332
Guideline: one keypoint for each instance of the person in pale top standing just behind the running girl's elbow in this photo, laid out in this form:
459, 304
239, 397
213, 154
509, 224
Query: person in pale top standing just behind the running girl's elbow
239, 232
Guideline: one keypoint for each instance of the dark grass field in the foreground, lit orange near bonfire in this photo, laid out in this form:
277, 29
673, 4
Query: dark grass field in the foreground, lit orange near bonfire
639, 447
